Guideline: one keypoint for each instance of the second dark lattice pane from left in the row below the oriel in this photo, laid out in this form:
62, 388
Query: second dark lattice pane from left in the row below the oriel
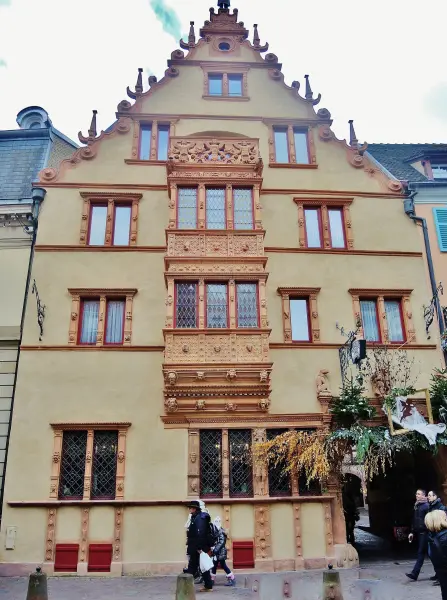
241, 472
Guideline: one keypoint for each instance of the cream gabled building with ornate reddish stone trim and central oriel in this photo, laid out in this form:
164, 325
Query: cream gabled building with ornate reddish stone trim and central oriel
176, 335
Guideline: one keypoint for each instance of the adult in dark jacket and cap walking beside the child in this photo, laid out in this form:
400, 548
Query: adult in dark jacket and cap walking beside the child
198, 540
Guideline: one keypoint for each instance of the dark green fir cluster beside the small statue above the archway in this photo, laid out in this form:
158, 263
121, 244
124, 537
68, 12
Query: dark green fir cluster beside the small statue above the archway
352, 406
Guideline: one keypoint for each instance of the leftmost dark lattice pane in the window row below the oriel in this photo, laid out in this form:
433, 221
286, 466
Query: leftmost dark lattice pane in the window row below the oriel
211, 463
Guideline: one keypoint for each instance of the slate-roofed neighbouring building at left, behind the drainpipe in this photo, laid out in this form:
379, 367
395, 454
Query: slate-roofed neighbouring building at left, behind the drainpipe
23, 153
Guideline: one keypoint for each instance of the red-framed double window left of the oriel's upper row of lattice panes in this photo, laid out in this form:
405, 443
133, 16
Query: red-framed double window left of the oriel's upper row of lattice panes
120, 225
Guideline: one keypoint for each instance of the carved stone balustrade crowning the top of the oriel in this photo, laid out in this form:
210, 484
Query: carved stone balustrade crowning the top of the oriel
213, 151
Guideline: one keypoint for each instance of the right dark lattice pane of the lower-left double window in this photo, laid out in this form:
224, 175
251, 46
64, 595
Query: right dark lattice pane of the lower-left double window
105, 446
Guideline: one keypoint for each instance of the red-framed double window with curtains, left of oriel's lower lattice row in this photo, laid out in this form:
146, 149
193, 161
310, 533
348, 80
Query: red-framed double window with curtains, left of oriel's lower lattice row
114, 323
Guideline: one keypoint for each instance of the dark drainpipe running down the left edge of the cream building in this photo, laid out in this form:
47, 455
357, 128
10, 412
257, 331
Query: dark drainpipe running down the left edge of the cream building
38, 195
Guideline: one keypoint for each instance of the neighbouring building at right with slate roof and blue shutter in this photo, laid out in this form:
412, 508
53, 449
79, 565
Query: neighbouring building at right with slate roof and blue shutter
422, 168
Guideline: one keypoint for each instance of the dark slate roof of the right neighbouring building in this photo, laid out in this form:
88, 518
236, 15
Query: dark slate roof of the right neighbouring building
397, 158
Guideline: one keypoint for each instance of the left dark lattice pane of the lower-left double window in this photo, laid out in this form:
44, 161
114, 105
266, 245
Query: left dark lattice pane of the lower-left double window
71, 479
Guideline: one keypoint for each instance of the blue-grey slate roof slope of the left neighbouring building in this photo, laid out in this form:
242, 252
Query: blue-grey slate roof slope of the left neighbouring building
21, 159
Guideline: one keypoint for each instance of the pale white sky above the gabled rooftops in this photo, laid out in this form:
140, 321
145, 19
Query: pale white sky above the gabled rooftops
380, 63
